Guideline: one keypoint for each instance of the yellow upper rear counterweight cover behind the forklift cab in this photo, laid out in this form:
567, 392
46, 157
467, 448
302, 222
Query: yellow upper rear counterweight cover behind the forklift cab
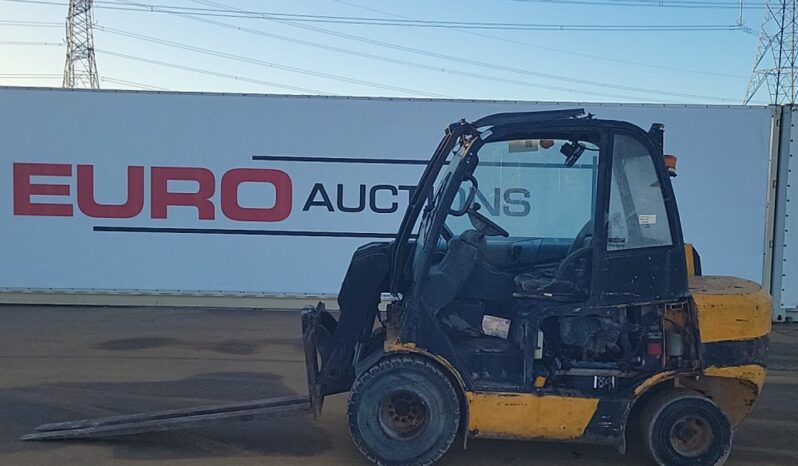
730, 308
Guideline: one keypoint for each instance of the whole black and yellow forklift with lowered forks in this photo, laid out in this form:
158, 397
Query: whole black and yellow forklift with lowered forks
540, 288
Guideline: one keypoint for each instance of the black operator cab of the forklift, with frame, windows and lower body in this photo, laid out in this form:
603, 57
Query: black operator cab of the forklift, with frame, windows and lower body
560, 230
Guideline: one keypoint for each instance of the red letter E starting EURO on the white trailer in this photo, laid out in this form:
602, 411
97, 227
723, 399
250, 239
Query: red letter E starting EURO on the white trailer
24, 189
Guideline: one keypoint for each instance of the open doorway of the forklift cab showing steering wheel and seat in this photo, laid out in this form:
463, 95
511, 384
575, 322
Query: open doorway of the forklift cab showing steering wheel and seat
534, 208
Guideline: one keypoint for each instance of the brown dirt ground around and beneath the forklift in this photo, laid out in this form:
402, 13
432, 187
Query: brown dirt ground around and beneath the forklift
64, 363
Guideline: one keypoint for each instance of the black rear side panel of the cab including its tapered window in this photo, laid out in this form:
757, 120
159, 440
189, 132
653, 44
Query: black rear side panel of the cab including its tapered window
640, 246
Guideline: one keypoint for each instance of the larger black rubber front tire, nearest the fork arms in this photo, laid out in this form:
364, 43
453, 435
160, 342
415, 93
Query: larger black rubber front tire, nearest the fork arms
404, 375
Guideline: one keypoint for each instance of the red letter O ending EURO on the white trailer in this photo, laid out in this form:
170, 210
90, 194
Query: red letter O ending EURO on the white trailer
282, 194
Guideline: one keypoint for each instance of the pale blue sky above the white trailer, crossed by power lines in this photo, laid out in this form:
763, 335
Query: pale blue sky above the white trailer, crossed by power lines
267, 54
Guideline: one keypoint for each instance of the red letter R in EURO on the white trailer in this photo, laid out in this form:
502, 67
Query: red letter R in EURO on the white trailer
162, 198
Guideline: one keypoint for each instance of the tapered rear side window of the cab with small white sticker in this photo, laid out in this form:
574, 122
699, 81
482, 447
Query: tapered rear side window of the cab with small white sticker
637, 216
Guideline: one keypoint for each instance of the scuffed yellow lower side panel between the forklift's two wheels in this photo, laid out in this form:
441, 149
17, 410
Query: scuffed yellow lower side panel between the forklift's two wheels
524, 415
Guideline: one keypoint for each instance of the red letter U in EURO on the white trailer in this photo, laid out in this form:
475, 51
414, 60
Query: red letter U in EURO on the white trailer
90, 207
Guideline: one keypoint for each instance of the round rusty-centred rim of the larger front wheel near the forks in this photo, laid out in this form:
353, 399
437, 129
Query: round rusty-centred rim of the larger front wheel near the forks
402, 414
